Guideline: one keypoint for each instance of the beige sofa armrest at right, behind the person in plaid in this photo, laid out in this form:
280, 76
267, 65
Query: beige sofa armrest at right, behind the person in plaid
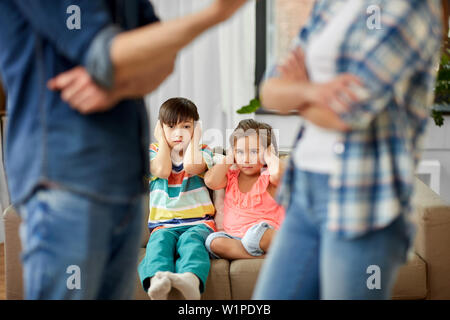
432, 241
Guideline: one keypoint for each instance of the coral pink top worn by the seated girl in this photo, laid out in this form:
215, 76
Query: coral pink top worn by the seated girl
243, 210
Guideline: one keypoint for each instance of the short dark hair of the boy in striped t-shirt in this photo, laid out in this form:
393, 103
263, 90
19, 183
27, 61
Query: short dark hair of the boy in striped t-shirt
176, 110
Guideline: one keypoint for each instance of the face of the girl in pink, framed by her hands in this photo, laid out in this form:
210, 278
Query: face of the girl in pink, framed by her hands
249, 155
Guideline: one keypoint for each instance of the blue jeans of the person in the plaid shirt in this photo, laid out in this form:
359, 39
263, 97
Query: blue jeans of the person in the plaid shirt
307, 261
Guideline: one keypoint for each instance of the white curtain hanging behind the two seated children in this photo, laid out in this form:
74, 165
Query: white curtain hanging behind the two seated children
216, 71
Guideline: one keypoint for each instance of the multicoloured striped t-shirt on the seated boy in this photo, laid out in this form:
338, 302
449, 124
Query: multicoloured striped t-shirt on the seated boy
182, 198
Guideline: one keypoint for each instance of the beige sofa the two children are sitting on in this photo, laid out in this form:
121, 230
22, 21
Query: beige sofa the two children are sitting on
426, 276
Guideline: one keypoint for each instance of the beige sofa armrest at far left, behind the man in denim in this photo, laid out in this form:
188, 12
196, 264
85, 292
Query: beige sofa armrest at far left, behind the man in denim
13, 248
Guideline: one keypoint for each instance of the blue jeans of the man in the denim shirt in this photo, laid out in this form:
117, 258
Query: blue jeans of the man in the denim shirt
74, 247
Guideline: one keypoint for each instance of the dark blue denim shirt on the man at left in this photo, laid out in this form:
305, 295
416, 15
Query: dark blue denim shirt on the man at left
102, 155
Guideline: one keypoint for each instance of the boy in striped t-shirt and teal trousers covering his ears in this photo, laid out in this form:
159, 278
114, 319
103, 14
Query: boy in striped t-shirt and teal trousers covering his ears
181, 211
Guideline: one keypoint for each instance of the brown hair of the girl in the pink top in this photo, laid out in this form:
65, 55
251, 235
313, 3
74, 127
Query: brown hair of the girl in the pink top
249, 127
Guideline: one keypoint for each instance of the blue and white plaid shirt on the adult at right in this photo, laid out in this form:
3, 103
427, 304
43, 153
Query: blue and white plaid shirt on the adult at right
376, 159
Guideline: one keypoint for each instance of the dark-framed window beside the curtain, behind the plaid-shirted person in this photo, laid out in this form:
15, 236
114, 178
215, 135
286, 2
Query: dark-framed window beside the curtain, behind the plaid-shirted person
277, 23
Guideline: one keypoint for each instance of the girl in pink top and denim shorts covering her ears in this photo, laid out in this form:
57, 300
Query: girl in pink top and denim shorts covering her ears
251, 214
